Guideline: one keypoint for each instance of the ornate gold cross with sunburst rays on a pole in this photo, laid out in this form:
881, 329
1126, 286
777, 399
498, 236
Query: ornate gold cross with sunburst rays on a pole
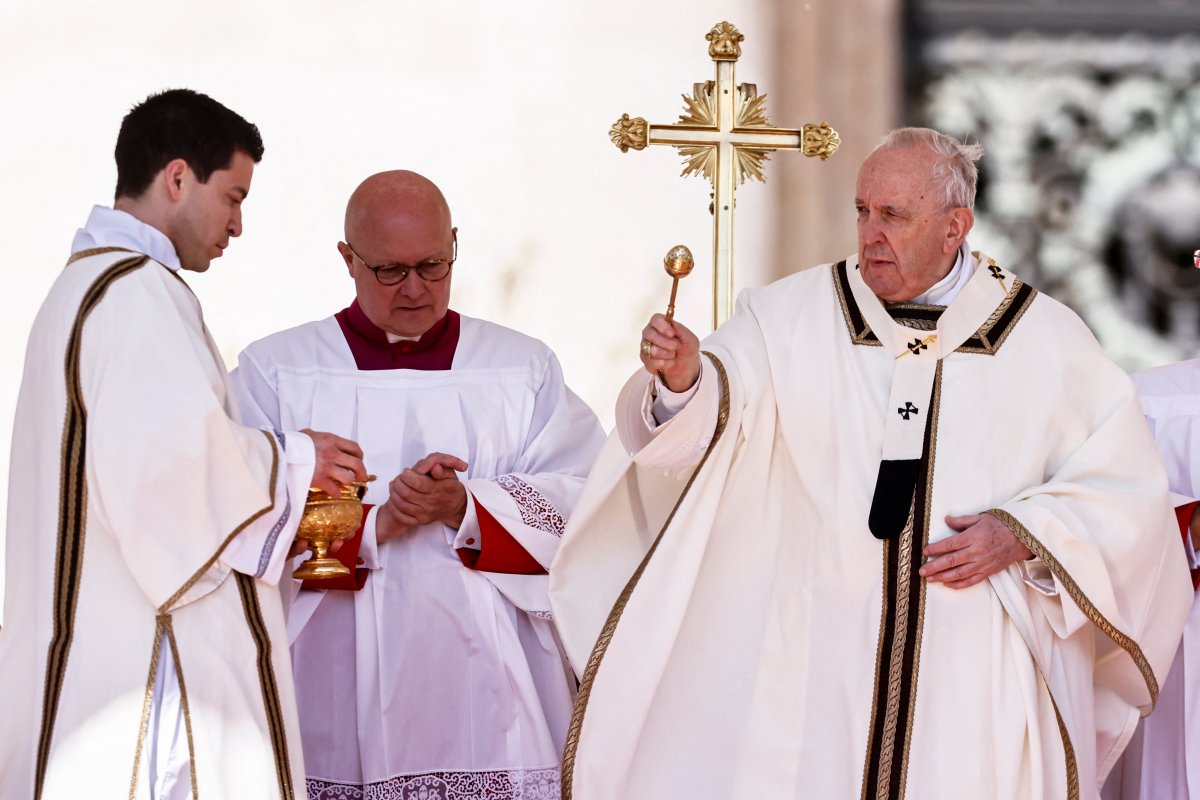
725, 137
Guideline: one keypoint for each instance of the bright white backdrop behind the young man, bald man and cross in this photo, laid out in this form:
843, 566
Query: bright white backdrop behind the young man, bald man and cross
506, 106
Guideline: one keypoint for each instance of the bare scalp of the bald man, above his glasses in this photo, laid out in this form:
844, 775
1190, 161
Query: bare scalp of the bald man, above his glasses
398, 199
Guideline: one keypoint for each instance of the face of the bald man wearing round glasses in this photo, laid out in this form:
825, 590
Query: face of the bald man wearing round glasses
410, 238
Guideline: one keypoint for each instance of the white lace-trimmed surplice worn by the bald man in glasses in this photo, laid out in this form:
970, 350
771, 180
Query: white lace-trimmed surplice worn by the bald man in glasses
435, 678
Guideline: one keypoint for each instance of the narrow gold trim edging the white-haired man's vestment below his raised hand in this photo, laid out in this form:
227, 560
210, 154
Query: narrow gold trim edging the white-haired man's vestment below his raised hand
619, 609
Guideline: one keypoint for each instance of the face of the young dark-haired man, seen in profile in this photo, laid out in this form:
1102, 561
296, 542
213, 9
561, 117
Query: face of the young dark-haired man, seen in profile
211, 214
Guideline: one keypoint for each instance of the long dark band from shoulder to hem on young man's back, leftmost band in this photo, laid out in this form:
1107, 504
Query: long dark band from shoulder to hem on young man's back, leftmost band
73, 515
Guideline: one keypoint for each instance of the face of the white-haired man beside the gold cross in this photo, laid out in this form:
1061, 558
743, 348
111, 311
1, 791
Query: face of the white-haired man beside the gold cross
907, 238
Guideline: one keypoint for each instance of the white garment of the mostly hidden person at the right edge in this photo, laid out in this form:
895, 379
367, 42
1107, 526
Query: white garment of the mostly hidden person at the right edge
1163, 760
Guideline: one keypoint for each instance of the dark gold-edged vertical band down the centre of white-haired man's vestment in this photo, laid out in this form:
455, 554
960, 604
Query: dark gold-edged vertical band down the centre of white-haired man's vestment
898, 658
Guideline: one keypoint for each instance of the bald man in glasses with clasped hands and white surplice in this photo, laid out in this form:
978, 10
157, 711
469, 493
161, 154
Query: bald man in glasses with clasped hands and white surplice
434, 671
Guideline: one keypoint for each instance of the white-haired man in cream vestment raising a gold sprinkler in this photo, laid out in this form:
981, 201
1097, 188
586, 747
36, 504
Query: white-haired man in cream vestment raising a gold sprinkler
901, 532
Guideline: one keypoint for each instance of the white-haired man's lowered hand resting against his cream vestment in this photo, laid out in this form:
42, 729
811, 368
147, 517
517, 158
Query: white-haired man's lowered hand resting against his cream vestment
983, 548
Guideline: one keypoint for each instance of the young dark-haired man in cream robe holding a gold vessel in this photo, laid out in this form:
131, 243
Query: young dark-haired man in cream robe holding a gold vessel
143, 643
